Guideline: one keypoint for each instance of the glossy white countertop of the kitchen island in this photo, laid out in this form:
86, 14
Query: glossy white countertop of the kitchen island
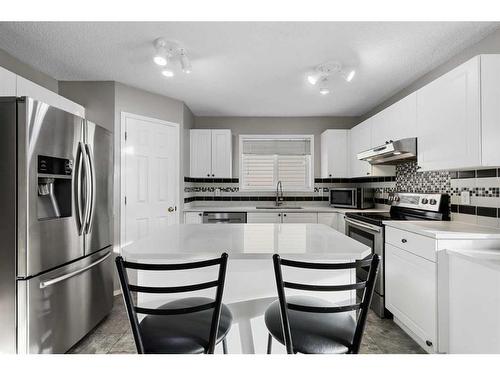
246, 241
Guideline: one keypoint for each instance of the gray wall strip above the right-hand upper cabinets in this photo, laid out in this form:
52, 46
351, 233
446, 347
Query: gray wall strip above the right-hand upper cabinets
490, 44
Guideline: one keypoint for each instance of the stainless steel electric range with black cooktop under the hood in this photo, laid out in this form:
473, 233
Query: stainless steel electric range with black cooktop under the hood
368, 228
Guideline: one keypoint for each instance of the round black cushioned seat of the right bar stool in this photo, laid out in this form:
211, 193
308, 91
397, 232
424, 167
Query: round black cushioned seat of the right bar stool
330, 333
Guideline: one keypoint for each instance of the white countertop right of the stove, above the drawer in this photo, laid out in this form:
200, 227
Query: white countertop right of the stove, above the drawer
451, 230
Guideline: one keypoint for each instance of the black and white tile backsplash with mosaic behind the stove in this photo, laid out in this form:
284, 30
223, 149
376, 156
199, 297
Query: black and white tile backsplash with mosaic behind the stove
483, 186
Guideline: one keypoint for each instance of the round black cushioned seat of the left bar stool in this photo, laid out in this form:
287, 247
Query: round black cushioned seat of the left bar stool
186, 333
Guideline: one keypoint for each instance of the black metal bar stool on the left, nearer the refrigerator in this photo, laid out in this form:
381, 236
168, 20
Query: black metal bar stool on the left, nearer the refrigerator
188, 325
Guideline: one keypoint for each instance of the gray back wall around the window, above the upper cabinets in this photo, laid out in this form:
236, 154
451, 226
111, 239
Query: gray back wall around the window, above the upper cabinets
276, 125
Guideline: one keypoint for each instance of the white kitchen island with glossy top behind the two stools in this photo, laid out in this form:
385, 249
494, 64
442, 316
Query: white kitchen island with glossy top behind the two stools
250, 285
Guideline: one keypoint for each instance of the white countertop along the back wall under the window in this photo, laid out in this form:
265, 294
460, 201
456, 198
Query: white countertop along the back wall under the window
285, 208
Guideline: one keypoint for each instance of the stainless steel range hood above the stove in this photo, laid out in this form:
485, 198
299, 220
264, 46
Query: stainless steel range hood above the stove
391, 153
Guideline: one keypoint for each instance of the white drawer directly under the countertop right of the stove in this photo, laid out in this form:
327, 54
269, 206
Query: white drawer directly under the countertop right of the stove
422, 246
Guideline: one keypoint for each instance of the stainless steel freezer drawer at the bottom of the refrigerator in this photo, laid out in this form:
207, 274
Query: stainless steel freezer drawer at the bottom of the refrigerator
58, 308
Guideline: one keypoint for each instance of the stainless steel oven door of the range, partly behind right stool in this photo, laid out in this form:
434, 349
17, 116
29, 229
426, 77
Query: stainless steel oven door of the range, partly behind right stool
372, 236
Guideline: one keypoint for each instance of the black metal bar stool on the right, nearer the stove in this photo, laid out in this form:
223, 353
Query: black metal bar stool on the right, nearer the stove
307, 324
